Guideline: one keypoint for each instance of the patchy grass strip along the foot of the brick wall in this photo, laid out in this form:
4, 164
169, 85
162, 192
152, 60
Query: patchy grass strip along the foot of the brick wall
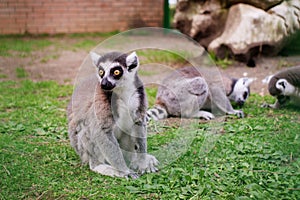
24, 46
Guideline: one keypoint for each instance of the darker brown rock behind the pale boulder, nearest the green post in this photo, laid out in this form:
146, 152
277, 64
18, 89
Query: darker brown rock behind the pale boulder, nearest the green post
202, 20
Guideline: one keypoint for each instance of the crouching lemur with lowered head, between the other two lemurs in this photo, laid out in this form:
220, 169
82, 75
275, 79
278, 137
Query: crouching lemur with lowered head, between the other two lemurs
186, 93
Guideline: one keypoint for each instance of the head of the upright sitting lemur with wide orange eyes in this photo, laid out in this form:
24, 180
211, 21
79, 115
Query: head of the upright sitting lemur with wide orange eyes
115, 68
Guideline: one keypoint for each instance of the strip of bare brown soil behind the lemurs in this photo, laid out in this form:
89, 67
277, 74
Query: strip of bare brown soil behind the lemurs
64, 65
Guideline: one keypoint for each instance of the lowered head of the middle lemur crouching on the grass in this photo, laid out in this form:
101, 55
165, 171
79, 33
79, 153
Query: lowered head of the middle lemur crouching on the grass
240, 90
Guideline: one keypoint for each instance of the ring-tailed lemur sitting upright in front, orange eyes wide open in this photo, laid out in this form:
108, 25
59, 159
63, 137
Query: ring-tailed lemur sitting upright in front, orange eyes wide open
107, 118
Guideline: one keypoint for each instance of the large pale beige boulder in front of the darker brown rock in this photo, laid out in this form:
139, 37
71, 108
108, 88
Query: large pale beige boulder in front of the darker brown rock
250, 30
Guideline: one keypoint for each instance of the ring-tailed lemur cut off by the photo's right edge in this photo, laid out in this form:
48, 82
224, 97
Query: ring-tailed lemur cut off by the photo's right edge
285, 86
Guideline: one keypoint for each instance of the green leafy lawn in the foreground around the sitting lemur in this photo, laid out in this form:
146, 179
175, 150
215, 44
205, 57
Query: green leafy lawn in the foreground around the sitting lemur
255, 158
